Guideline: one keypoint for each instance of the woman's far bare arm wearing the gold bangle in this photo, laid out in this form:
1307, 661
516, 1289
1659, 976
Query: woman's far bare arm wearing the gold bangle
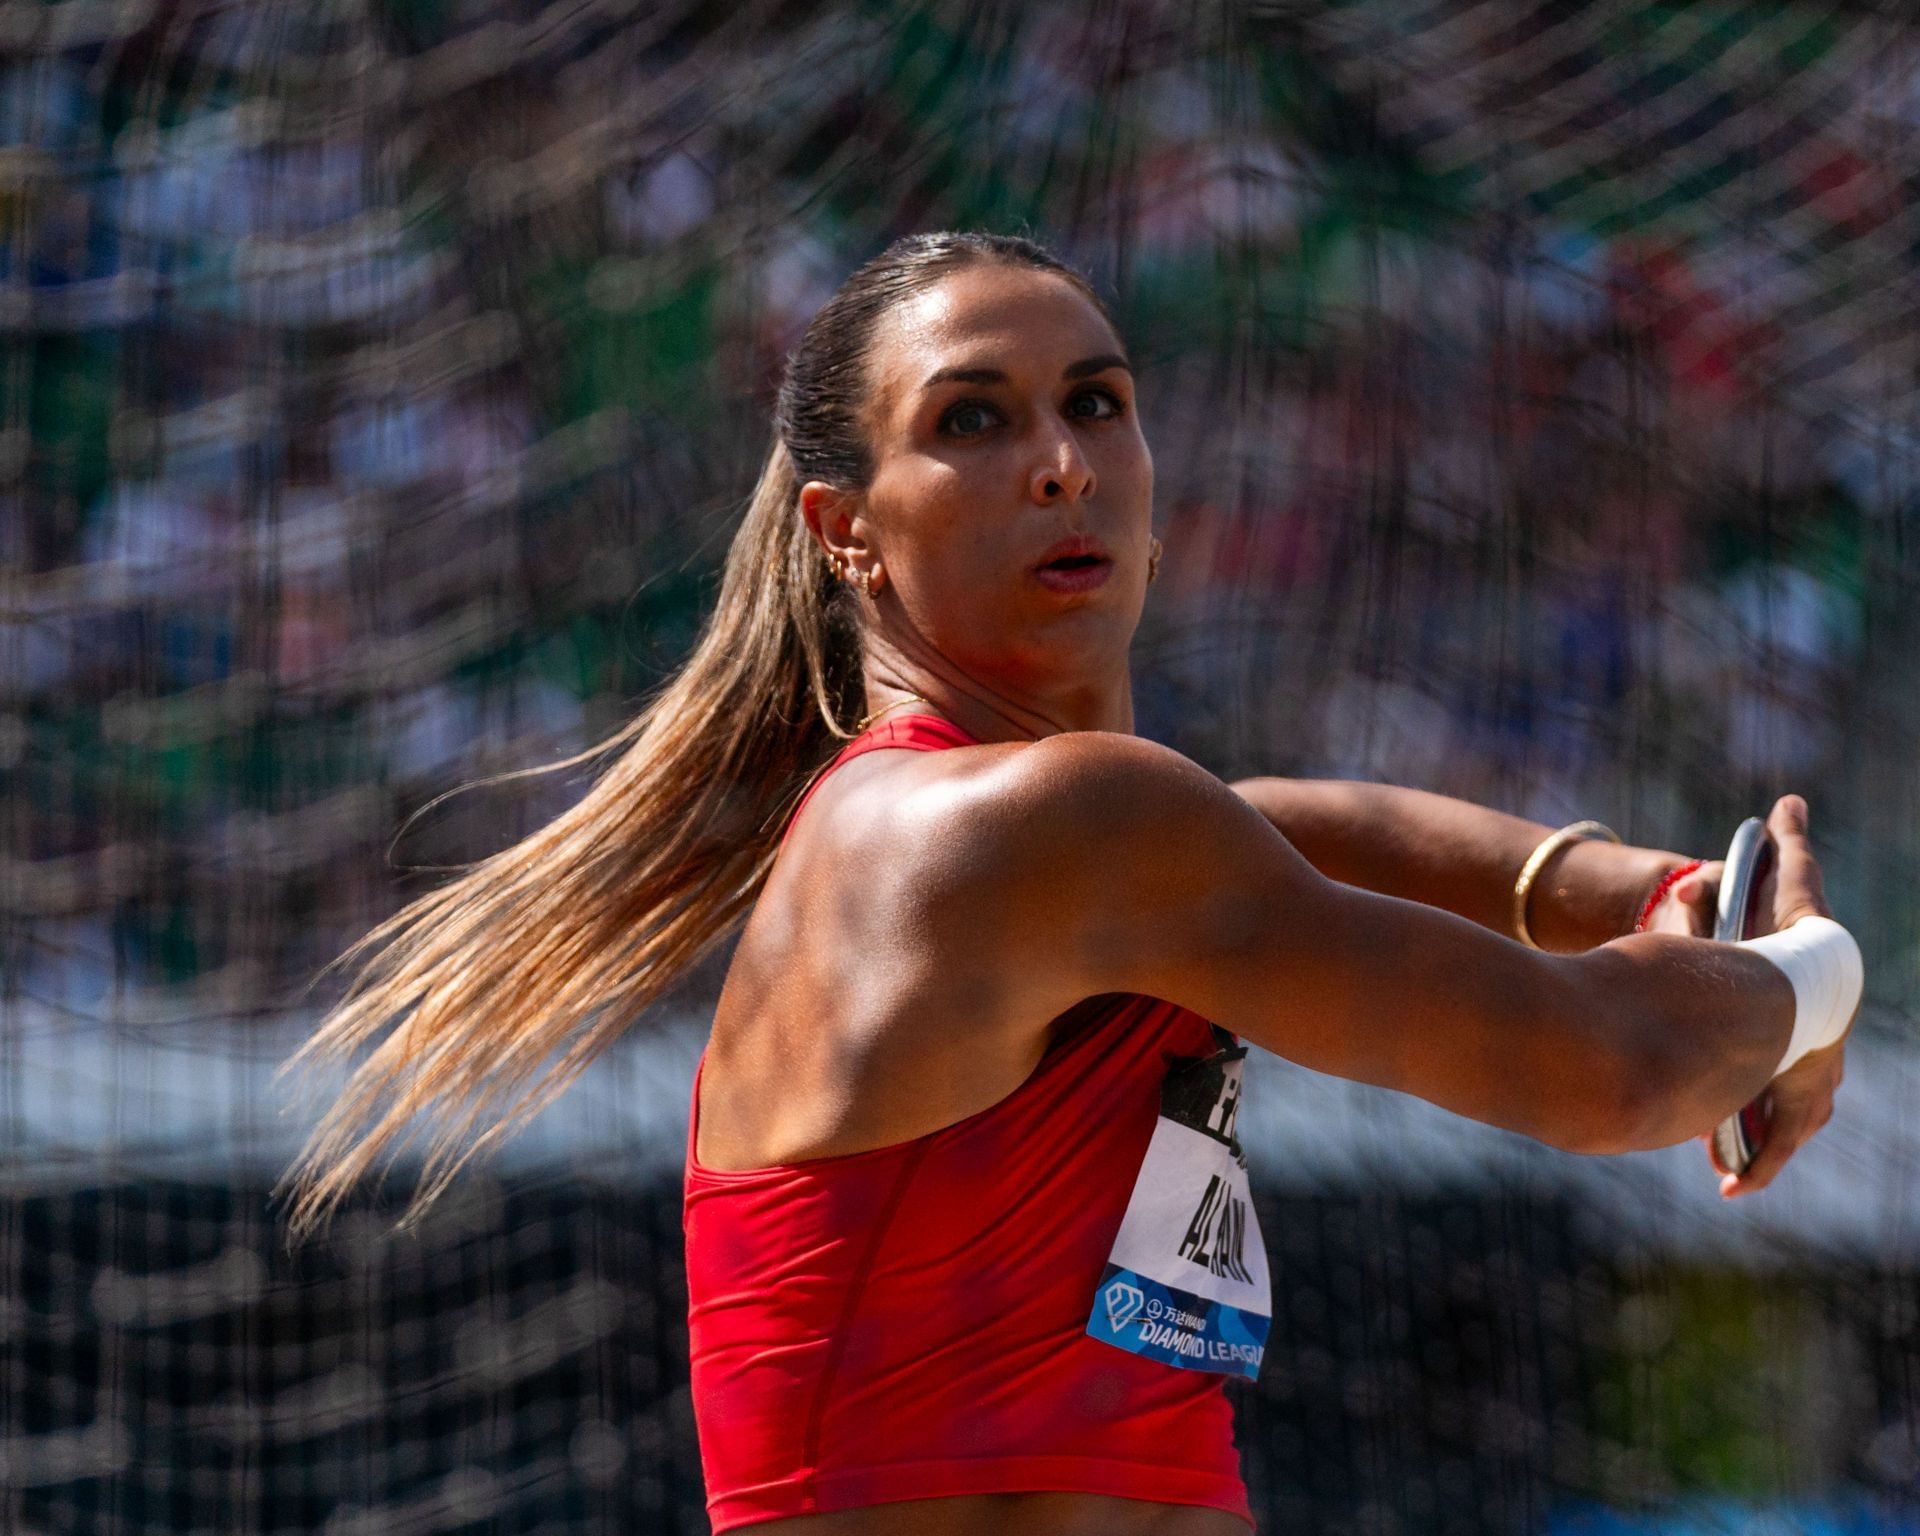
1464, 859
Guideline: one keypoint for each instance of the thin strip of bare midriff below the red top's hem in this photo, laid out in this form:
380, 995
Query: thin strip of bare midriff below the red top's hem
1015, 1516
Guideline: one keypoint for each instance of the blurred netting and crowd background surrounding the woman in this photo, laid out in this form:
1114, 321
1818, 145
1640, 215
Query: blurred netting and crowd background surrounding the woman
1533, 391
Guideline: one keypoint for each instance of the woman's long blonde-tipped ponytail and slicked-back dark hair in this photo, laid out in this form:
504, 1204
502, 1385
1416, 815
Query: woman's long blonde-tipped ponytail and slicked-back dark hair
496, 990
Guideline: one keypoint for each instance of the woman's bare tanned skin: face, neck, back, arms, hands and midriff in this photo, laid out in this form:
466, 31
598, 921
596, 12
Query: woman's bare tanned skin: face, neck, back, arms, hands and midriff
936, 913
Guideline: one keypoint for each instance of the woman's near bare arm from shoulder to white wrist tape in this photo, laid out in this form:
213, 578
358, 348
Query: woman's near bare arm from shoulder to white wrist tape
1093, 863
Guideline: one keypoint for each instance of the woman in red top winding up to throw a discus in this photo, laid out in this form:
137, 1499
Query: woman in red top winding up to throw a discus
969, 1234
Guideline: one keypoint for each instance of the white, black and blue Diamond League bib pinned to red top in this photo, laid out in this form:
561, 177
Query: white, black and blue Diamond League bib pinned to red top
1188, 1280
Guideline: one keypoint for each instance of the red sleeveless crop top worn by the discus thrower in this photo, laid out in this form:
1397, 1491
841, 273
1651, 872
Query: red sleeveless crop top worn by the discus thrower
986, 1310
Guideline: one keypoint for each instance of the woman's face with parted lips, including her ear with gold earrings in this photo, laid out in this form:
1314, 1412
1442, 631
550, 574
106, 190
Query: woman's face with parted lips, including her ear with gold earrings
1001, 420
